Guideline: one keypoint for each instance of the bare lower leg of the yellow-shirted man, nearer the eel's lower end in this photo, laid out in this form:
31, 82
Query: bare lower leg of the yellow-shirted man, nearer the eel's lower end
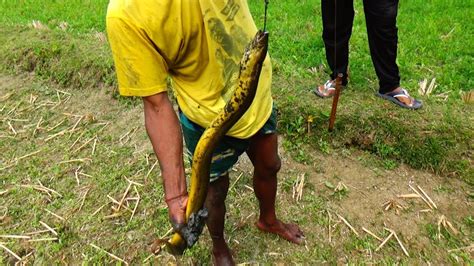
215, 203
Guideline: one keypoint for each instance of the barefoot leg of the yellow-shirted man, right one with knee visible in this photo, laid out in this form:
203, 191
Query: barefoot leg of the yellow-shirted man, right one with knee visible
263, 153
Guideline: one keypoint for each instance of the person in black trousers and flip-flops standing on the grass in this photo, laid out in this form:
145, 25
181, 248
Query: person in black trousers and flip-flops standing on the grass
382, 31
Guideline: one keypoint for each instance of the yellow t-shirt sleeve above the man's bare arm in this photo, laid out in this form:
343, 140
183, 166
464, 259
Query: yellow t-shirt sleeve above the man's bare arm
141, 69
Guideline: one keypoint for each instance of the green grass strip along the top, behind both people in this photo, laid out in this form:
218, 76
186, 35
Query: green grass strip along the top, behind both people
436, 138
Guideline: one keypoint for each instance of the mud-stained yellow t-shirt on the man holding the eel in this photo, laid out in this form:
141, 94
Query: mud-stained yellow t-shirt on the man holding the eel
199, 44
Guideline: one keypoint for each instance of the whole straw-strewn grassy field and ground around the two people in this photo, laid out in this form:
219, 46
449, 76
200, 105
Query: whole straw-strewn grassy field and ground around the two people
64, 128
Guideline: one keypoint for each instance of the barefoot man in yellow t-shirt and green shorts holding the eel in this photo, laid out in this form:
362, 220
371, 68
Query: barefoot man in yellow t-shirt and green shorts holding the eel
197, 45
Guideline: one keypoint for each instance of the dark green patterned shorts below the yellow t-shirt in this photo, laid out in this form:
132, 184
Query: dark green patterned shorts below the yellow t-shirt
228, 150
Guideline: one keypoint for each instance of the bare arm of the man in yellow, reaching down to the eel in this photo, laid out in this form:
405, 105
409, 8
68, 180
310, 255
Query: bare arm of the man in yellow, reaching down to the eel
164, 131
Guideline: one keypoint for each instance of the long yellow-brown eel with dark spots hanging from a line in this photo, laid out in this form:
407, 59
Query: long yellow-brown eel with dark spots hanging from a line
241, 99
